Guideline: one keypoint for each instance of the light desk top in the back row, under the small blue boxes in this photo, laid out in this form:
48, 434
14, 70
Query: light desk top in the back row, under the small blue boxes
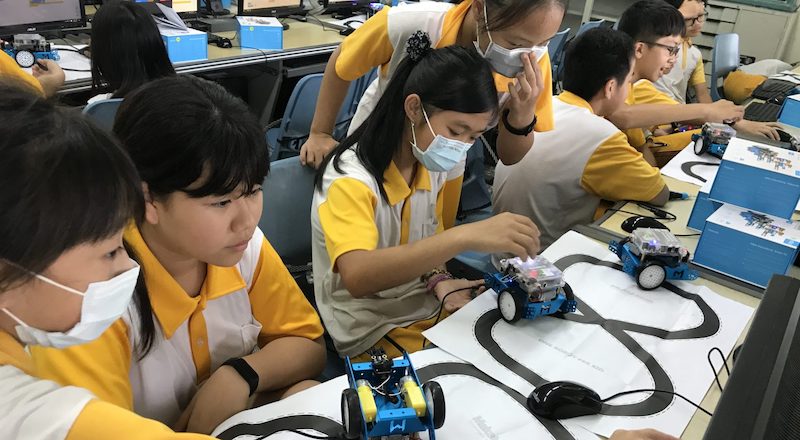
300, 40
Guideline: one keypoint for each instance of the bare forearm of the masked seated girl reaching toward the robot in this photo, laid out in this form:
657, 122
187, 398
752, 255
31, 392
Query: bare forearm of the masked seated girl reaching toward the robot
365, 273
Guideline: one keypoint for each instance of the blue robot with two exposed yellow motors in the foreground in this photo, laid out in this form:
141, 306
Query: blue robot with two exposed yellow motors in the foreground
385, 398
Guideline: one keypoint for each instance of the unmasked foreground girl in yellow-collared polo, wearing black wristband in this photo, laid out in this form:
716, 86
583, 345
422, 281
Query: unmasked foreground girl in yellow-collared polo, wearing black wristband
217, 316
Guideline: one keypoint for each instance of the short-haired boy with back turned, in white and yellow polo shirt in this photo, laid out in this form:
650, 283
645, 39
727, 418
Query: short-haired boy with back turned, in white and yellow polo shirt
559, 184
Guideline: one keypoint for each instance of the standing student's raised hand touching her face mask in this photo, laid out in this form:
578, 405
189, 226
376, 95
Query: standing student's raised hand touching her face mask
524, 92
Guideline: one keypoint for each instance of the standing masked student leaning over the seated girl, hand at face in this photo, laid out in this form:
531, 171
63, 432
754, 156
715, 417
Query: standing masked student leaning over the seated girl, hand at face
511, 24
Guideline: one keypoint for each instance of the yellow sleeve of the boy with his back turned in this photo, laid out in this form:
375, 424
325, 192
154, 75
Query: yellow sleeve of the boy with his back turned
616, 171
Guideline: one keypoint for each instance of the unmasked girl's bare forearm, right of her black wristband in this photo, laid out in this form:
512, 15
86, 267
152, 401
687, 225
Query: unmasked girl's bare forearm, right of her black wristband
286, 361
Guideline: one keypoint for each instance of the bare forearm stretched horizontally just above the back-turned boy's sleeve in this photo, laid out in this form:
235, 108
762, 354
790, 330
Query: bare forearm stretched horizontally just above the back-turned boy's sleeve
648, 115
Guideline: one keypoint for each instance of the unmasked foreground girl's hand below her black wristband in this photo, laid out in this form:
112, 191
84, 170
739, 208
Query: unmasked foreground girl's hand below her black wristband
224, 394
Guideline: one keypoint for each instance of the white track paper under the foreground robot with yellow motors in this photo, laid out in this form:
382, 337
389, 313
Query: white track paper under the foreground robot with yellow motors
475, 409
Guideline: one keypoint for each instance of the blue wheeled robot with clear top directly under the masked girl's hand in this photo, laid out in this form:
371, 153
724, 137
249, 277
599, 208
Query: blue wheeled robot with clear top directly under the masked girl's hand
530, 288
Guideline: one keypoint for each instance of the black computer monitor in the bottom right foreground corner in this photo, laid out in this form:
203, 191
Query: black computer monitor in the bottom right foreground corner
760, 400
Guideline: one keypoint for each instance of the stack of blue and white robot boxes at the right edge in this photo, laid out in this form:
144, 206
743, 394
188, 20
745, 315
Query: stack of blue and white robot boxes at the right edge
745, 213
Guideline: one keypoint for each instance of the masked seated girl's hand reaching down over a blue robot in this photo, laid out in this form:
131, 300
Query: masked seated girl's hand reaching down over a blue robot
503, 233
